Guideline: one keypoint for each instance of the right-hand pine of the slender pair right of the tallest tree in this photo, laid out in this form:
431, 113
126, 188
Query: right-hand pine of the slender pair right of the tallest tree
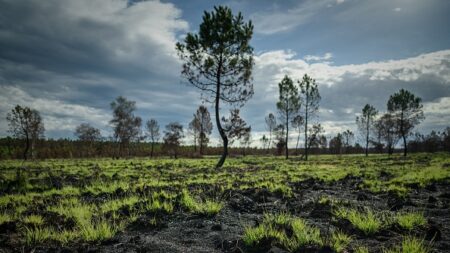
310, 99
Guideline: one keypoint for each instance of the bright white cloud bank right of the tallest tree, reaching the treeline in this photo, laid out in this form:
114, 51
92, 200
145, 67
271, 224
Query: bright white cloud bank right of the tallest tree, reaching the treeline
346, 88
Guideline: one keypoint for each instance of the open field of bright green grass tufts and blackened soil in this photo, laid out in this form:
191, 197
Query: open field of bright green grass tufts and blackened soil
252, 204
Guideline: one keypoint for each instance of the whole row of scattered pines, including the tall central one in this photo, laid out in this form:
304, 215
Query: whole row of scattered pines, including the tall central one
218, 60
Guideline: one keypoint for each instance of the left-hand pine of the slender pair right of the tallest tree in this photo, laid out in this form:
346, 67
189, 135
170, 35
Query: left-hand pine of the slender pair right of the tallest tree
288, 105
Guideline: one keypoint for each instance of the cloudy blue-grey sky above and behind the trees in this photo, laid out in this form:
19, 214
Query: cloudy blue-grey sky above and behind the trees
70, 58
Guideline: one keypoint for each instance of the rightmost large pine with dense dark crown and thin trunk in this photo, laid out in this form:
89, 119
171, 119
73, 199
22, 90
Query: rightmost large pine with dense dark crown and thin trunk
407, 111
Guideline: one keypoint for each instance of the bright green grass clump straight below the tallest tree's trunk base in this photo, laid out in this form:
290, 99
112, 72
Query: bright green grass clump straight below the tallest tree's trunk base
207, 207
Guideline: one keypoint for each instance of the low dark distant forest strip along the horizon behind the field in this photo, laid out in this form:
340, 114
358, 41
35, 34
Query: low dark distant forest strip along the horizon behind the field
12, 148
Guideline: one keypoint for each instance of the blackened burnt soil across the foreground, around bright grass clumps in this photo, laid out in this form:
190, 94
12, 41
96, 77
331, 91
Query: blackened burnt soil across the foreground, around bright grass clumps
185, 232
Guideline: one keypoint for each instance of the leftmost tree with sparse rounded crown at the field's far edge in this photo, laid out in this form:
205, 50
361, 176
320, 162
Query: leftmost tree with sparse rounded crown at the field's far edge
26, 124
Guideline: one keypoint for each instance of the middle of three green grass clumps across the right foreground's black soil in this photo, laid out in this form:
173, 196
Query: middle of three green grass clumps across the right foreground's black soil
367, 221
